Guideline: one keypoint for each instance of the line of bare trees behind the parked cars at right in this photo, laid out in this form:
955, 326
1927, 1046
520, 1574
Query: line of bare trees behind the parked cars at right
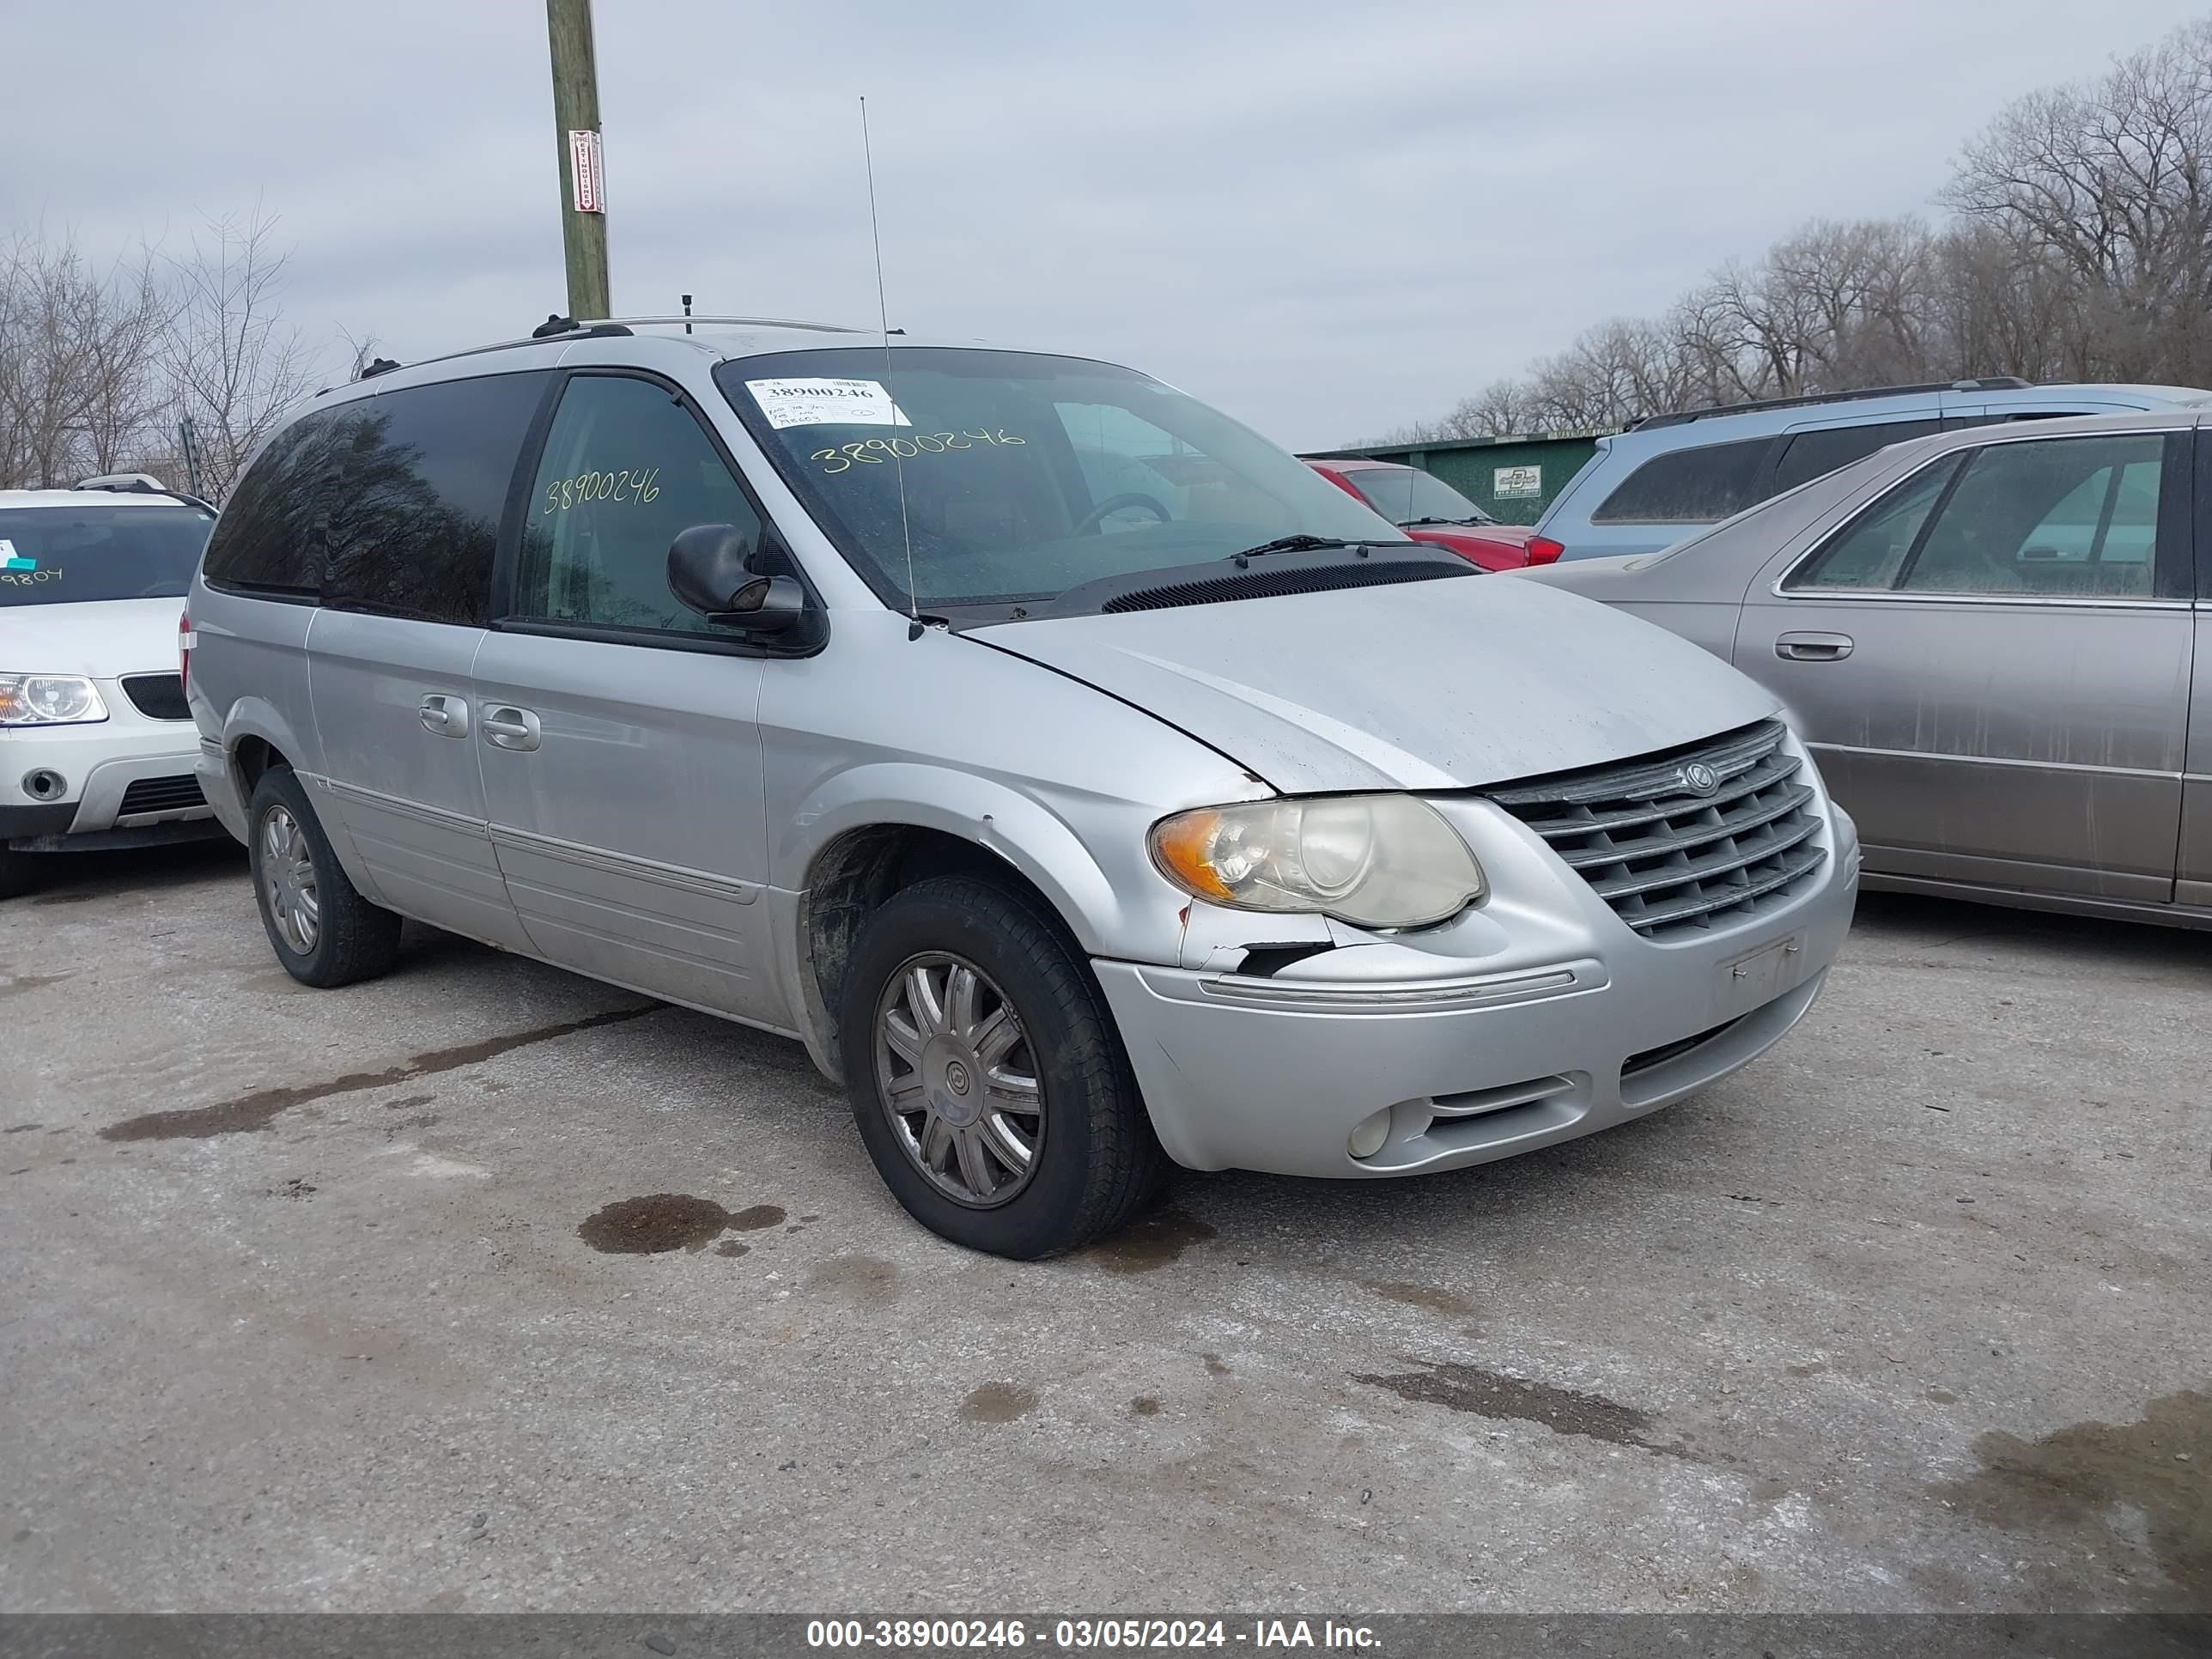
2080, 249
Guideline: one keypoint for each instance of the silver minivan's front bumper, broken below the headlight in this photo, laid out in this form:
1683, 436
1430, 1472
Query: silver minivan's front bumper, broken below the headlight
1532, 1019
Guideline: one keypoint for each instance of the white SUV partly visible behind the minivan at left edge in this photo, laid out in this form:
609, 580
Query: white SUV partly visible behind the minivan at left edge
96, 744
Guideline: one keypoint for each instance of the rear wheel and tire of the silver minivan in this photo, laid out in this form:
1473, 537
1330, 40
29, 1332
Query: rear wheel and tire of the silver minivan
320, 926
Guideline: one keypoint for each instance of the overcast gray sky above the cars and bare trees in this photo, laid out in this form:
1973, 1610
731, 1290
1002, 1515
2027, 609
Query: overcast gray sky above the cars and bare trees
1326, 220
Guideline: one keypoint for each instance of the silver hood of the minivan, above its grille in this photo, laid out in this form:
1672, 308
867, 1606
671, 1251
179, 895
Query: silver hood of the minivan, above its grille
1415, 687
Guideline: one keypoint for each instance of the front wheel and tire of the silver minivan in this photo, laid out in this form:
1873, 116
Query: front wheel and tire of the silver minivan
988, 1078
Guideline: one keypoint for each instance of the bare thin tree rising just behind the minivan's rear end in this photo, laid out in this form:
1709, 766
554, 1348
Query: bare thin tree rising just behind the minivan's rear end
233, 364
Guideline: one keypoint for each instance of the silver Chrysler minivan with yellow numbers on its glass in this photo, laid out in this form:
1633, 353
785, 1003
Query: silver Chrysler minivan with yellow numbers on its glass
1081, 778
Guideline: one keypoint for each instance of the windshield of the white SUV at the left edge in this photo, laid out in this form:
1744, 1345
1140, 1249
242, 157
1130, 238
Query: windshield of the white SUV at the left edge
72, 554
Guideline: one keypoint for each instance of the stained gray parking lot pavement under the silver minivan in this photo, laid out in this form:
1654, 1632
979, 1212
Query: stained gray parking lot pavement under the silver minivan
335, 1302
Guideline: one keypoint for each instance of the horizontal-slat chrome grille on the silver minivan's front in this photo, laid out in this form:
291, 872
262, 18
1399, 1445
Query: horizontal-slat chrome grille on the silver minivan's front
1669, 857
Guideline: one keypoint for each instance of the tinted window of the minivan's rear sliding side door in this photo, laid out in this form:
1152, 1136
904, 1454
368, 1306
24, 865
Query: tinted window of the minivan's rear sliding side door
424, 477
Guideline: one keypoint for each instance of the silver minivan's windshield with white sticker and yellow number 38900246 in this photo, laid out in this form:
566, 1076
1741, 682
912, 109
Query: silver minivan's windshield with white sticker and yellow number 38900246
1025, 477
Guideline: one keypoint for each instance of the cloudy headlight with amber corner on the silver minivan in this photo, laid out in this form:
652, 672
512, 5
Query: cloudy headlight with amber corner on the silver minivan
1370, 859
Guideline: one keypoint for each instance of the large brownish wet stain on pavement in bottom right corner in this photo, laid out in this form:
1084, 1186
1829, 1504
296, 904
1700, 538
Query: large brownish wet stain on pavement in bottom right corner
2160, 1468
